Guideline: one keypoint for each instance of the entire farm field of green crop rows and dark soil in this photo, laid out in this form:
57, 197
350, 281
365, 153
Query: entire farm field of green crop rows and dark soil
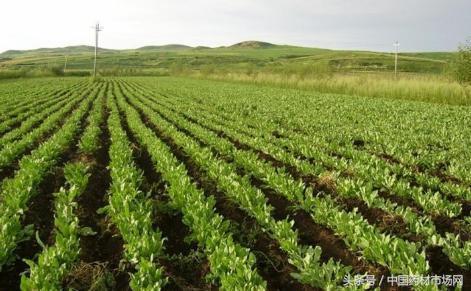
146, 183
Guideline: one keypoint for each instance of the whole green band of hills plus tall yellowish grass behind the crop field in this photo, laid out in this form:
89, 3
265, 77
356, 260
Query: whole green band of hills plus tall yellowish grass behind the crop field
422, 75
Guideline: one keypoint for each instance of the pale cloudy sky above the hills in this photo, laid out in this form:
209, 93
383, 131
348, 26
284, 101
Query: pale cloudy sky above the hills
419, 25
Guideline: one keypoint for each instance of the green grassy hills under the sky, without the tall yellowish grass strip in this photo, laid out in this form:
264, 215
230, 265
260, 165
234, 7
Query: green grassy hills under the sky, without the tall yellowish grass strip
242, 57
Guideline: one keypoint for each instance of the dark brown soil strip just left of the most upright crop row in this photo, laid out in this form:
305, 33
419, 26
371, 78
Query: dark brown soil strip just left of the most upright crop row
100, 253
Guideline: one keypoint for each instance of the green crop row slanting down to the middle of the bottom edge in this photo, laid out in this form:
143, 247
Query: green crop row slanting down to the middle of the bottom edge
230, 263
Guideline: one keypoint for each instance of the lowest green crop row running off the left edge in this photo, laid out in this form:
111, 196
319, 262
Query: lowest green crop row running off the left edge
18, 190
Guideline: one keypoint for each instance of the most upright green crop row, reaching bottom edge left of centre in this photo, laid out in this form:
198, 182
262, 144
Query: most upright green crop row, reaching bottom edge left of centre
131, 211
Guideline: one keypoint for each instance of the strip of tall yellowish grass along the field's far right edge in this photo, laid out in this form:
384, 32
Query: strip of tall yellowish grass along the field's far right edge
427, 88
